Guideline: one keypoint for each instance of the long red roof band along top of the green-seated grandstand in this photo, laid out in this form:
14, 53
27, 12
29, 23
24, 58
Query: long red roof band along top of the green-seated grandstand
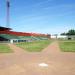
4, 30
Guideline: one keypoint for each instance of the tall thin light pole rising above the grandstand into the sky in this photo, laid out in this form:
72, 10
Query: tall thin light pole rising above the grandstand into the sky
7, 13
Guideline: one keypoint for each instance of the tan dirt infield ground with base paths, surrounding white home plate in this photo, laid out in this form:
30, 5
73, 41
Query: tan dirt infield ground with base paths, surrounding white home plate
24, 63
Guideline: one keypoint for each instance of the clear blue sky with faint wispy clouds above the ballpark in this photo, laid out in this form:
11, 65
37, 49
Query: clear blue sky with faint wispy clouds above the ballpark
39, 16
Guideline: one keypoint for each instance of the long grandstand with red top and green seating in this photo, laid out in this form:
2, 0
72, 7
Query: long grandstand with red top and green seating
11, 36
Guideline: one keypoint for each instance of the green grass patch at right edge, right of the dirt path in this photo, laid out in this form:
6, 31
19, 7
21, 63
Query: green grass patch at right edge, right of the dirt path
67, 46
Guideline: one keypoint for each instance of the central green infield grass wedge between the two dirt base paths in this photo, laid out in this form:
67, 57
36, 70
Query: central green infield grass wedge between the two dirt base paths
36, 46
